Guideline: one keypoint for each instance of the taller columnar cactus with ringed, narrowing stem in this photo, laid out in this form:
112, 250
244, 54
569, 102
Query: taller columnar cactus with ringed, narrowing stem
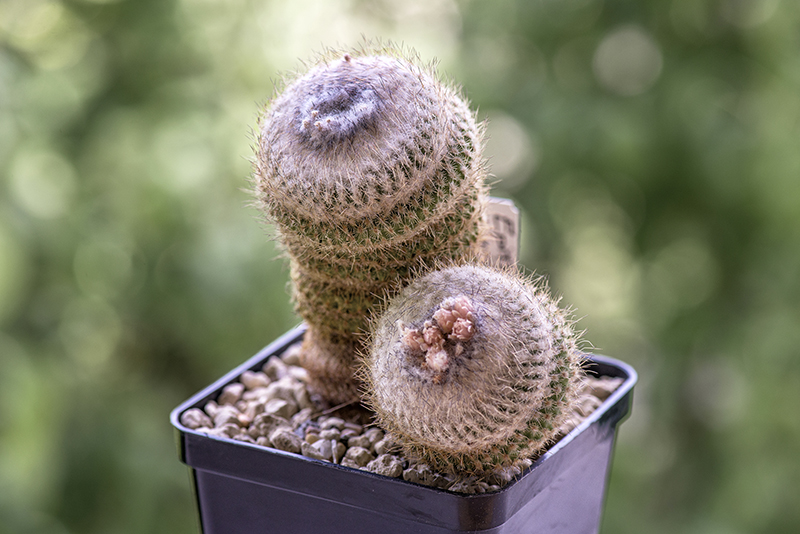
371, 170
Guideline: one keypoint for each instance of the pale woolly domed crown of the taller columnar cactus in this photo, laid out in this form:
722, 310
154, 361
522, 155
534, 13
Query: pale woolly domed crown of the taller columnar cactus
328, 138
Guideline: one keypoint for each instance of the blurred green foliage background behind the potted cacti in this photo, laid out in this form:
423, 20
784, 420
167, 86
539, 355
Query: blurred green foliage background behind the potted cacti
652, 146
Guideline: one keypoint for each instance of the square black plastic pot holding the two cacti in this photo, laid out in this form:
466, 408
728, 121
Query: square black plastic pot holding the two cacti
245, 488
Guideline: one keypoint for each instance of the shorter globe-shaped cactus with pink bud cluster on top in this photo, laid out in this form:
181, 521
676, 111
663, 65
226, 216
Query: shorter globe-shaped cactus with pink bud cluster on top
471, 368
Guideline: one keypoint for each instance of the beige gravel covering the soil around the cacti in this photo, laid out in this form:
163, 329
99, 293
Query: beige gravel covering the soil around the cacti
273, 408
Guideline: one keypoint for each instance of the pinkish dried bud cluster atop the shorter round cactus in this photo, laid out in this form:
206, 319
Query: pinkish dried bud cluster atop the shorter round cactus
453, 321
